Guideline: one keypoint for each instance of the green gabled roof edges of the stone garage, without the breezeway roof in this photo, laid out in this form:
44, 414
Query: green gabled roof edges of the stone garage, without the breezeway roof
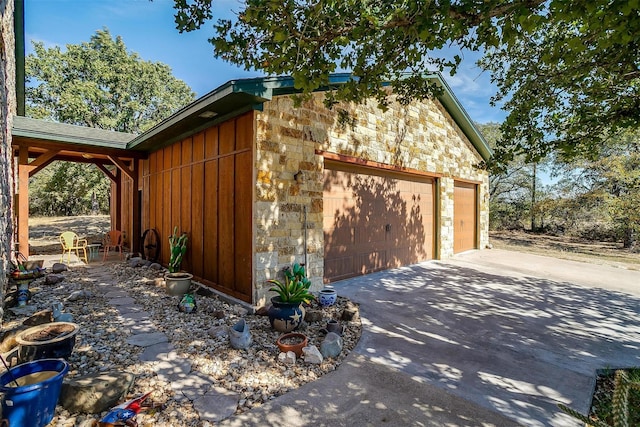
238, 96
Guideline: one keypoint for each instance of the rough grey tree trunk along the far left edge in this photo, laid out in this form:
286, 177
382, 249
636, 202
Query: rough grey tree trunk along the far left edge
7, 110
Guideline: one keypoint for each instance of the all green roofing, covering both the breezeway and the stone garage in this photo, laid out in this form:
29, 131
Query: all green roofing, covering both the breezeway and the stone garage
231, 99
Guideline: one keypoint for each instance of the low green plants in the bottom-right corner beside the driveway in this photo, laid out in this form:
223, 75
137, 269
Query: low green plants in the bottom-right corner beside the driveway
618, 410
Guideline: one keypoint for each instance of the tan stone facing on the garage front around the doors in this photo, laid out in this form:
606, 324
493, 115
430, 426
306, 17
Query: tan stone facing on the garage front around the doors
421, 136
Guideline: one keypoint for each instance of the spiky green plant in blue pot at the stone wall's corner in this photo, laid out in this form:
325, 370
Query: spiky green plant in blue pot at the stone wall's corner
287, 312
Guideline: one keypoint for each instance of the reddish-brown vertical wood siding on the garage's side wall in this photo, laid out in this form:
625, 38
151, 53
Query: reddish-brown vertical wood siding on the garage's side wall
204, 185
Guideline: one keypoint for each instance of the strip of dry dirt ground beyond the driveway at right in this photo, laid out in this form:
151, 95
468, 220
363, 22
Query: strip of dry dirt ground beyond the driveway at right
564, 247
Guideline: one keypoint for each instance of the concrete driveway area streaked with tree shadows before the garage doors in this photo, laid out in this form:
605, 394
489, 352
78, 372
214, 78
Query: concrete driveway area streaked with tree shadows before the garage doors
517, 346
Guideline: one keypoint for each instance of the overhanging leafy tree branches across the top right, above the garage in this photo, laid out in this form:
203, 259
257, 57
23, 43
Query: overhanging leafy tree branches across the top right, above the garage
566, 70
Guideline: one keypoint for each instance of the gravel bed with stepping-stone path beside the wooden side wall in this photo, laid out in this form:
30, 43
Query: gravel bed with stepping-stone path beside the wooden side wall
255, 375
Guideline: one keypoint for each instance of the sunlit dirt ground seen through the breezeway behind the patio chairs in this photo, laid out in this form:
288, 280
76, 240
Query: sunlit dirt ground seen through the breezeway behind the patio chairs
44, 232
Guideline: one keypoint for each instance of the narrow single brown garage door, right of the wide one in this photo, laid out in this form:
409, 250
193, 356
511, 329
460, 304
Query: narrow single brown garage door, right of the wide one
464, 217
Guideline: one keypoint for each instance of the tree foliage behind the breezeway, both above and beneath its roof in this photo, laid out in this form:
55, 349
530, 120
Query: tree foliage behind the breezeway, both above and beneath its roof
96, 84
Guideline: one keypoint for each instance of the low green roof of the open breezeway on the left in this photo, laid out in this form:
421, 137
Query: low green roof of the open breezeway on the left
29, 128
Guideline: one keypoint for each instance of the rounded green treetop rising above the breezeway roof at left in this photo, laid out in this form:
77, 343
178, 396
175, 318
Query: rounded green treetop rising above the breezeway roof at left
100, 84
